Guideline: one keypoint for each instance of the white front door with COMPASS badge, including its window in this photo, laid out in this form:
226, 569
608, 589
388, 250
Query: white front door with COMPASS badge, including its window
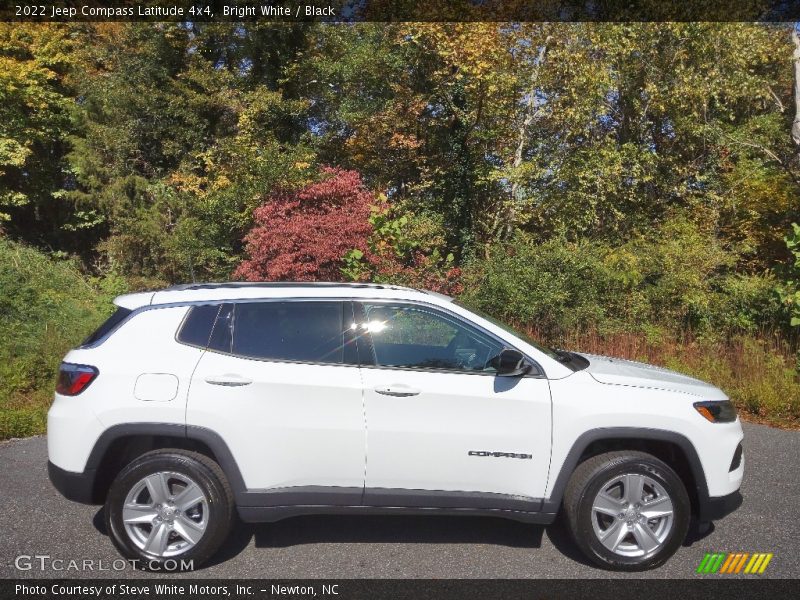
442, 428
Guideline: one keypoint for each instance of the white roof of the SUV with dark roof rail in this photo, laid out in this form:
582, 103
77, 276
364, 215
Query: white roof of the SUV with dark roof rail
239, 290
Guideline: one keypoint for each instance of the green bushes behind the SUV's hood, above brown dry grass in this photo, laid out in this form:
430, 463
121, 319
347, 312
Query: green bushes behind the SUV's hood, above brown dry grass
680, 279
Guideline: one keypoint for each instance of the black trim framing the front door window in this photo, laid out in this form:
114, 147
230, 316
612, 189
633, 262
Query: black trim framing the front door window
536, 372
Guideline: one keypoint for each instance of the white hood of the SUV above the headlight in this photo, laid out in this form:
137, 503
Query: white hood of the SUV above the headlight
617, 371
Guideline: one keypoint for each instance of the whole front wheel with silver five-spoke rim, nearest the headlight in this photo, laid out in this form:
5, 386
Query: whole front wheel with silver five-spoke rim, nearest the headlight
627, 510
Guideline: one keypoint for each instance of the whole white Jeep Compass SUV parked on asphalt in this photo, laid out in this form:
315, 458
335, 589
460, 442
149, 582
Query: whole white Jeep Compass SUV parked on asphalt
282, 399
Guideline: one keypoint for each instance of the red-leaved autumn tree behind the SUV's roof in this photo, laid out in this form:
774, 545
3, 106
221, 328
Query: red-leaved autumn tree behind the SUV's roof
302, 235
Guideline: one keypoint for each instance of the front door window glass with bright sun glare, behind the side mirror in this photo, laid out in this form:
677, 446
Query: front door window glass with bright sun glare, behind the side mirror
412, 336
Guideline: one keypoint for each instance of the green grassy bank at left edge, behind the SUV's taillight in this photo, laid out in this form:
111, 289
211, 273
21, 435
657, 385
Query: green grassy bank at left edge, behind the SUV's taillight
46, 308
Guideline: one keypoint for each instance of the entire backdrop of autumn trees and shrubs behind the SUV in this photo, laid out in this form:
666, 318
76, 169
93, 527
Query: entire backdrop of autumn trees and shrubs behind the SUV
629, 188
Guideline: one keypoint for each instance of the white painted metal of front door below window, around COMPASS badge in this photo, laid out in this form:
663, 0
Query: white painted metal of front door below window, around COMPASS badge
423, 441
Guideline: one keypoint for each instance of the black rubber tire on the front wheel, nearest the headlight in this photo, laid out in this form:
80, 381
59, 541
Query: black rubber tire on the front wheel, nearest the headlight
584, 485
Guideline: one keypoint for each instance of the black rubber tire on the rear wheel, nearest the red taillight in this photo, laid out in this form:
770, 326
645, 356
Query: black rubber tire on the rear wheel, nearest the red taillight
200, 469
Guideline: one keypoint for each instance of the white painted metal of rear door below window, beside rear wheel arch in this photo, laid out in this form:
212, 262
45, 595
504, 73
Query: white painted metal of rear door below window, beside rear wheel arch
294, 425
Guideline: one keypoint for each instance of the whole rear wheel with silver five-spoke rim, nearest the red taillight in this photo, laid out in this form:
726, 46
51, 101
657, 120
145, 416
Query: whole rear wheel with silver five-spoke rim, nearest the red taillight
169, 510
